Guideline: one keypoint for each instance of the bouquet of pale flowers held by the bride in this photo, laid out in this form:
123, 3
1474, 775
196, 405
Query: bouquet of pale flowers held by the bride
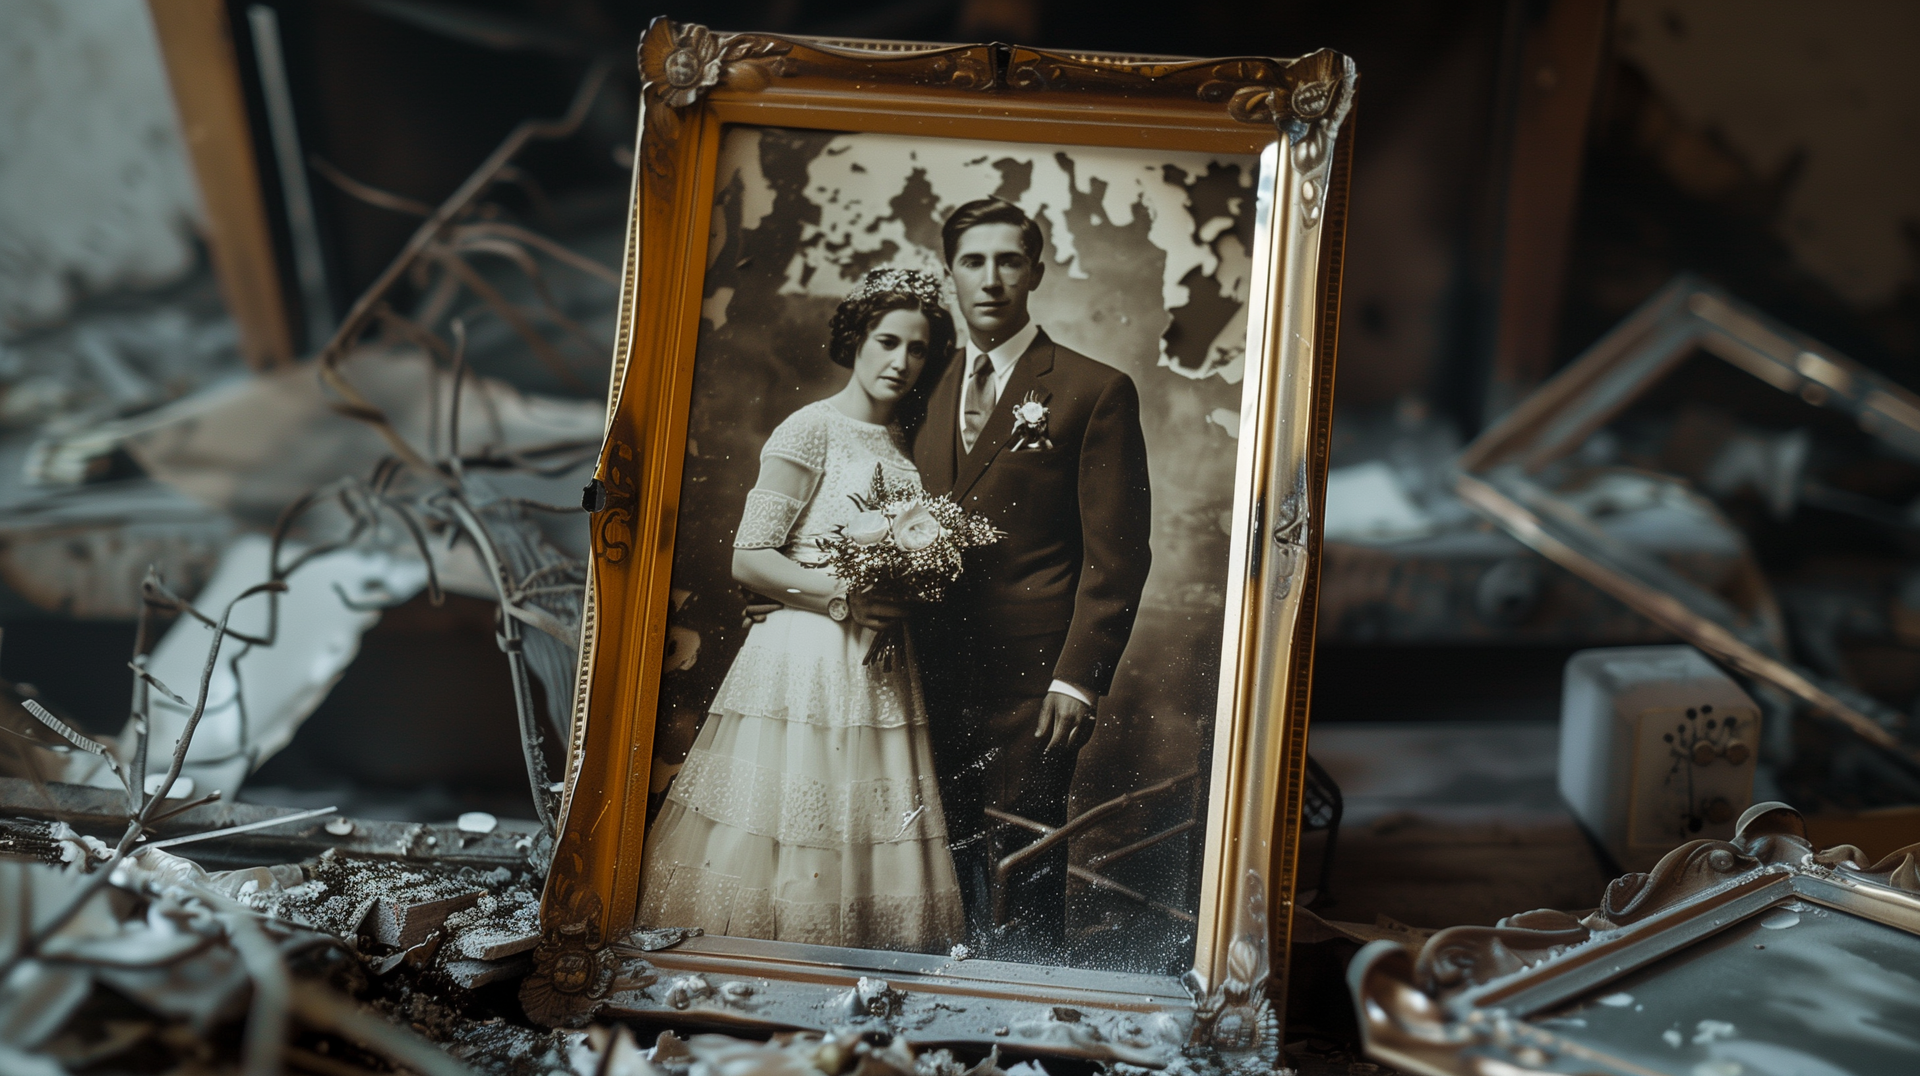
907, 545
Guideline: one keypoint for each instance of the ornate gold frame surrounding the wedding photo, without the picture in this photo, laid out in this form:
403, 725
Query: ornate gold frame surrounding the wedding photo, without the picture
1226, 1014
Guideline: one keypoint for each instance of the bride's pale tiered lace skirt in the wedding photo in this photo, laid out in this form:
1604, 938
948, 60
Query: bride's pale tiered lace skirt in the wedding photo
807, 810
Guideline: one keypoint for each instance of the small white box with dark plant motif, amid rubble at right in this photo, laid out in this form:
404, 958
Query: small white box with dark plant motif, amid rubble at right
1658, 748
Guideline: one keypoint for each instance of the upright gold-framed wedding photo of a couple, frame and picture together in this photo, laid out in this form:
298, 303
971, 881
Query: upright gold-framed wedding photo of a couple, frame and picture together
951, 616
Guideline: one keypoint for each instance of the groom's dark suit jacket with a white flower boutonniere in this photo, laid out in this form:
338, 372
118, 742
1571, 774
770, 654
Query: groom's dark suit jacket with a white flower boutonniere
1076, 516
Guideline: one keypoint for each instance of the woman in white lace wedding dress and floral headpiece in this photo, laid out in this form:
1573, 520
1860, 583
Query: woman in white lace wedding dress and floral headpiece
807, 808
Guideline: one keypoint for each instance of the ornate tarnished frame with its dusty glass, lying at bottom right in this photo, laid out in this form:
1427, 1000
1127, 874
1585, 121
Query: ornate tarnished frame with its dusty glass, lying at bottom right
1748, 956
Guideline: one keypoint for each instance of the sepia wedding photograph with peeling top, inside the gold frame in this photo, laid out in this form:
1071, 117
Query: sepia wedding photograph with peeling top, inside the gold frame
951, 552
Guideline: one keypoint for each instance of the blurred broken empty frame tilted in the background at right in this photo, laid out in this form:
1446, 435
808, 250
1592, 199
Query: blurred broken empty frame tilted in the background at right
1525, 472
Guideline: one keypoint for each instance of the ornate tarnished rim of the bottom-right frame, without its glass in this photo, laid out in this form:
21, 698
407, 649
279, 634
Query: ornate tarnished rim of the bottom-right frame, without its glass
1462, 1004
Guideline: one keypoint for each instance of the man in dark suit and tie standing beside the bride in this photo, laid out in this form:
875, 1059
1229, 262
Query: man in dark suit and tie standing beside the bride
1047, 445
